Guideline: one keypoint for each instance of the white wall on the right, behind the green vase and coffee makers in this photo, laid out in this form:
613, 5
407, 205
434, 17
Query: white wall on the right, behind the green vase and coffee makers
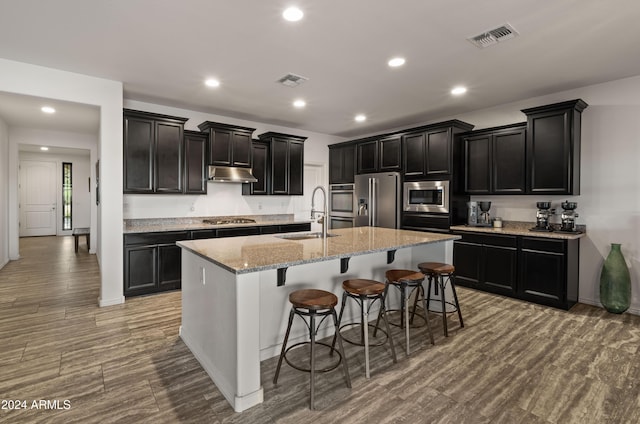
609, 203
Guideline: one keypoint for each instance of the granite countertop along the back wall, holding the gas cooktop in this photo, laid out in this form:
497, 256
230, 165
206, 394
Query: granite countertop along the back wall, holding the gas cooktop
152, 225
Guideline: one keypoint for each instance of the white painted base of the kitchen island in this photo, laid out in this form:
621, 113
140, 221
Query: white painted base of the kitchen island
233, 320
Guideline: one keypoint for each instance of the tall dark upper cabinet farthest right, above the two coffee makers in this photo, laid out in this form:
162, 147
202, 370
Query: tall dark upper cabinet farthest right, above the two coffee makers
553, 148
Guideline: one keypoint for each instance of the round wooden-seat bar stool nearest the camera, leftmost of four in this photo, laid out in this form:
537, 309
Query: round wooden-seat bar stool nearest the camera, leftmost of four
313, 303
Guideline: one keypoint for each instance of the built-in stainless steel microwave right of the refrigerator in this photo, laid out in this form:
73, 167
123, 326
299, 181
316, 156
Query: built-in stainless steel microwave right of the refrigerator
426, 196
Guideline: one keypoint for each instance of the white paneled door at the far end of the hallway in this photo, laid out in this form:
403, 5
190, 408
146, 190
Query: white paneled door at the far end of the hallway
37, 198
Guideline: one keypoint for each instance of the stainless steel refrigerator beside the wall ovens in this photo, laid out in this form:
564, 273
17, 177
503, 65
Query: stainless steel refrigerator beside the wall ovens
379, 199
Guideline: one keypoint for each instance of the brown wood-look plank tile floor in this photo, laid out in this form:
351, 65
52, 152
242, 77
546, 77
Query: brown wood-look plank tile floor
513, 362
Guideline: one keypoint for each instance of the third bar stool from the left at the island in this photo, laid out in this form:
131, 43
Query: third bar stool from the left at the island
405, 280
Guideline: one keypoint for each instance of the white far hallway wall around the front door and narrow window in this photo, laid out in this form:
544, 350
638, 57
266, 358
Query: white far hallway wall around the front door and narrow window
81, 196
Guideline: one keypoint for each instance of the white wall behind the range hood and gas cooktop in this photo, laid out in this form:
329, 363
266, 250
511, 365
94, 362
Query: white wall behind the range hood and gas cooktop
226, 198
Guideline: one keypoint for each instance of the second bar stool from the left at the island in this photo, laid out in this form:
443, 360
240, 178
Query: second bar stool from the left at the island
363, 292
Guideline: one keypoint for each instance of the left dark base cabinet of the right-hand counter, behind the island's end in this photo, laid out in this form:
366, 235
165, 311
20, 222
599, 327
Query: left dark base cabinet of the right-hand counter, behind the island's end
487, 262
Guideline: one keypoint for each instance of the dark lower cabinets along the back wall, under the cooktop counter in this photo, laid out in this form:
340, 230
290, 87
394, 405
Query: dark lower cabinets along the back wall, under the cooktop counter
153, 261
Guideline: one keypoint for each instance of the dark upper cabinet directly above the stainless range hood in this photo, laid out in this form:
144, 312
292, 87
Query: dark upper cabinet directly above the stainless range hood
229, 145
